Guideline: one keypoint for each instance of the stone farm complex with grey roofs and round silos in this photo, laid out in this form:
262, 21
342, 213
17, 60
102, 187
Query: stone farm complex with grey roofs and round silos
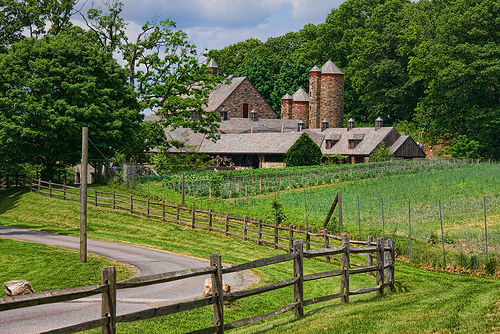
252, 136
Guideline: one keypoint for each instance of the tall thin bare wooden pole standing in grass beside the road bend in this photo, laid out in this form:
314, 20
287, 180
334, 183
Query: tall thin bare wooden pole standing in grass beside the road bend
83, 195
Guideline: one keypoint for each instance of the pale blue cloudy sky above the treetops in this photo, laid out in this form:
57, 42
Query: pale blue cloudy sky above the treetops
214, 24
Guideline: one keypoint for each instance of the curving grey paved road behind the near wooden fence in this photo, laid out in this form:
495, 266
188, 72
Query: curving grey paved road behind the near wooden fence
47, 317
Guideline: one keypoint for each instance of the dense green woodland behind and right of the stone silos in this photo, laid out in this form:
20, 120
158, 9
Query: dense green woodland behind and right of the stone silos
431, 66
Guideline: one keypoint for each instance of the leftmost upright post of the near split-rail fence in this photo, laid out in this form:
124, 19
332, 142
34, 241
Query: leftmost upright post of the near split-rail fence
108, 304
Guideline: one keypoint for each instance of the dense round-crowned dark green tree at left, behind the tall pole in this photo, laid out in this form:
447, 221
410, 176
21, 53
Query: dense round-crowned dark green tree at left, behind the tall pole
51, 88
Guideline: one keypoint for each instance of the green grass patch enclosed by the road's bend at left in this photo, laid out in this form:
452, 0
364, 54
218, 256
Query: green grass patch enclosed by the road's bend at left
51, 268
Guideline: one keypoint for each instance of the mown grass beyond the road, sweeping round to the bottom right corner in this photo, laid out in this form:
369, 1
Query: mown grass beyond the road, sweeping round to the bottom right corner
424, 301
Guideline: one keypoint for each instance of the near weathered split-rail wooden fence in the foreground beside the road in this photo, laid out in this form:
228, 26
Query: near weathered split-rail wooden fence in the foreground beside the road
384, 250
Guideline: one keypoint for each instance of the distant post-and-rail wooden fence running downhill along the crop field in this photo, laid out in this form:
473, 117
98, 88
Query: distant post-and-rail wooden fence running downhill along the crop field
280, 237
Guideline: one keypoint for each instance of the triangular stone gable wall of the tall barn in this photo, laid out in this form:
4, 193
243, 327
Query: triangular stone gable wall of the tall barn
247, 93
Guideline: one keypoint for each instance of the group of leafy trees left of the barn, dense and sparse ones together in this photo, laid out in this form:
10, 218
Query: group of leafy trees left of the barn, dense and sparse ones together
56, 78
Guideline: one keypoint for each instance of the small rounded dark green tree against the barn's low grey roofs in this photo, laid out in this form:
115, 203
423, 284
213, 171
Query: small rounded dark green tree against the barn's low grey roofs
303, 152
